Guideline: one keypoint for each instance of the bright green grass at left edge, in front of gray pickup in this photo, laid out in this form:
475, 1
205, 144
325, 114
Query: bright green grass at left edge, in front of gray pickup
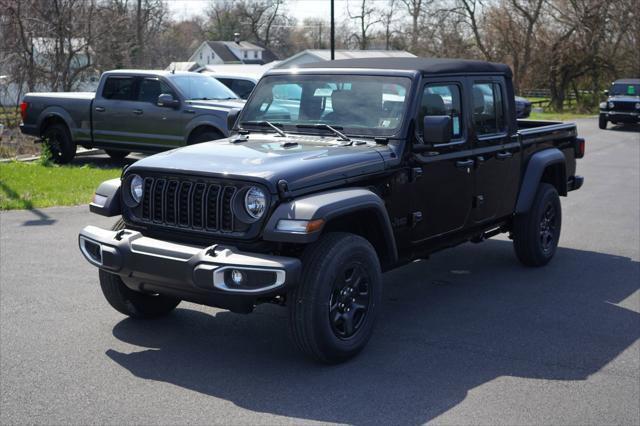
33, 185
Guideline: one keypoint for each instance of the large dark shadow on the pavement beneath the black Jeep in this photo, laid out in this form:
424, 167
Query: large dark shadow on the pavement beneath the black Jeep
462, 319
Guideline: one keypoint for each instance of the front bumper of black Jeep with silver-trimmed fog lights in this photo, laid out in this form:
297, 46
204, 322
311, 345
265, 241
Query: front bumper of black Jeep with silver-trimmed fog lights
198, 274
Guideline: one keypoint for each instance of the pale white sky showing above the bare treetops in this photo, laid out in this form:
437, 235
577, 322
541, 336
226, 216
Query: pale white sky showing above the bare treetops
299, 9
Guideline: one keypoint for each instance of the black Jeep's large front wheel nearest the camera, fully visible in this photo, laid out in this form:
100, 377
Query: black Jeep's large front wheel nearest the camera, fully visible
321, 307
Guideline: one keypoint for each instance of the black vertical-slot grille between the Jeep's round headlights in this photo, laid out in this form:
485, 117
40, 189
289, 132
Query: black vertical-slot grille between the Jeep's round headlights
186, 204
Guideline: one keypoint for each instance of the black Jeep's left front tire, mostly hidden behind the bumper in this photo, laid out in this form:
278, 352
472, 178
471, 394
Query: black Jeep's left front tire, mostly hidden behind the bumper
130, 302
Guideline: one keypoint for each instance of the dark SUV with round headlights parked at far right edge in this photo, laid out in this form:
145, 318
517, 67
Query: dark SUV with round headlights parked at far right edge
622, 104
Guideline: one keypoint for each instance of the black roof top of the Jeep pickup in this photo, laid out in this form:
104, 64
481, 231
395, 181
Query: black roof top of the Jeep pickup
425, 65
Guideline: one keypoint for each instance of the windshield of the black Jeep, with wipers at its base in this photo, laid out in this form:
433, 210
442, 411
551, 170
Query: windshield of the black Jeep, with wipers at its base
367, 105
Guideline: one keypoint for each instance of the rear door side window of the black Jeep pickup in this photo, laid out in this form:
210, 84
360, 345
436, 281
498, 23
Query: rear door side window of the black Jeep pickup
488, 109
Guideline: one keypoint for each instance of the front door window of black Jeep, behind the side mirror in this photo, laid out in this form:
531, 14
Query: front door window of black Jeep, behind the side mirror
442, 99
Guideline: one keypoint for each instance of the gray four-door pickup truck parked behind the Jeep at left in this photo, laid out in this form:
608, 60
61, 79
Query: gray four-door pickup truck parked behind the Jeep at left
132, 110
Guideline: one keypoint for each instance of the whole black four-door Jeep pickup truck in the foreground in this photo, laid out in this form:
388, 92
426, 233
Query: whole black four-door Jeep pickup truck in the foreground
335, 173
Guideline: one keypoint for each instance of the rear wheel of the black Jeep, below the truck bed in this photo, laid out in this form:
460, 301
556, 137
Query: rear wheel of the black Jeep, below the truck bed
536, 233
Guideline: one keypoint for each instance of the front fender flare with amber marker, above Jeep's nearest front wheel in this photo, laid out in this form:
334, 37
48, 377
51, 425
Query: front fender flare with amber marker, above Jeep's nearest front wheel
330, 205
